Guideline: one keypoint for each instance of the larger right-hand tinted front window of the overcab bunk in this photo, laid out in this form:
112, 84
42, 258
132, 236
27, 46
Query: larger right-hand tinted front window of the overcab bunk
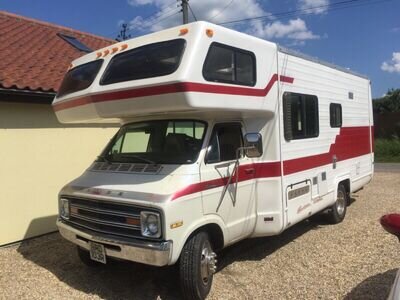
152, 60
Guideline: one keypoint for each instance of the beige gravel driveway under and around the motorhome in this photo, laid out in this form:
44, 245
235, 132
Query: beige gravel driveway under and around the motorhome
356, 259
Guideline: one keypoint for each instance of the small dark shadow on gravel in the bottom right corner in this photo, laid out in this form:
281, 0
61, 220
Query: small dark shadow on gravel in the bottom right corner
374, 287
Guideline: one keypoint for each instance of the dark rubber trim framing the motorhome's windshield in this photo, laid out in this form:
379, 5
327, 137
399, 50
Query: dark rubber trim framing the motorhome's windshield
104, 154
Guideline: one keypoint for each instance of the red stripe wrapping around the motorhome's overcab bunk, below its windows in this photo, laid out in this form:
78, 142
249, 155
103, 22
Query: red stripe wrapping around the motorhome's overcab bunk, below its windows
172, 88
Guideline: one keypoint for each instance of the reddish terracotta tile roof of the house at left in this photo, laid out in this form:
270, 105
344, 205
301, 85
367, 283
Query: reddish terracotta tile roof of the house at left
32, 55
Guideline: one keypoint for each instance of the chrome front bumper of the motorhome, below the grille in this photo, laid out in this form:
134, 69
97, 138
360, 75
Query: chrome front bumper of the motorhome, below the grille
146, 252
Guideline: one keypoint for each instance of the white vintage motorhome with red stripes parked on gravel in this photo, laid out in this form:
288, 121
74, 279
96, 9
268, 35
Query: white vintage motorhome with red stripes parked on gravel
224, 136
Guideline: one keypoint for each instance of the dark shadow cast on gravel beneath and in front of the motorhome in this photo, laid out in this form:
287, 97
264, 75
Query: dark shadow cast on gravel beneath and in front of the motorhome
120, 280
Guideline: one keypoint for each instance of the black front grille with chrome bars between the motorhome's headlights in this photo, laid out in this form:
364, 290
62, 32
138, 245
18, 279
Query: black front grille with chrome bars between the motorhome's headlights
106, 217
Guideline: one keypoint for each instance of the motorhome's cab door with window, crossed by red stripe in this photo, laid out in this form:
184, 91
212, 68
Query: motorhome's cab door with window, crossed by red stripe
234, 202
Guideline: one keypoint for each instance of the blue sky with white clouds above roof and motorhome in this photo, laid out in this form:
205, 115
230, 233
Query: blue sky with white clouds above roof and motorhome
364, 37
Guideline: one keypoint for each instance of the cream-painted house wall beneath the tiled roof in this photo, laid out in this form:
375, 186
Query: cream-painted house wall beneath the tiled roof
38, 155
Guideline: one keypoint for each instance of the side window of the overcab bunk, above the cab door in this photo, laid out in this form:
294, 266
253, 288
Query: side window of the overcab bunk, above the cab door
230, 65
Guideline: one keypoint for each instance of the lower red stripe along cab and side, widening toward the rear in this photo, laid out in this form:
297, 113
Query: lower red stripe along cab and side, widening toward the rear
351, 142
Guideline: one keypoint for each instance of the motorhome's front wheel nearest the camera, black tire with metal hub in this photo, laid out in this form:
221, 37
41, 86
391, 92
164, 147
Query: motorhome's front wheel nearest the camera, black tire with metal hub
196, 267
